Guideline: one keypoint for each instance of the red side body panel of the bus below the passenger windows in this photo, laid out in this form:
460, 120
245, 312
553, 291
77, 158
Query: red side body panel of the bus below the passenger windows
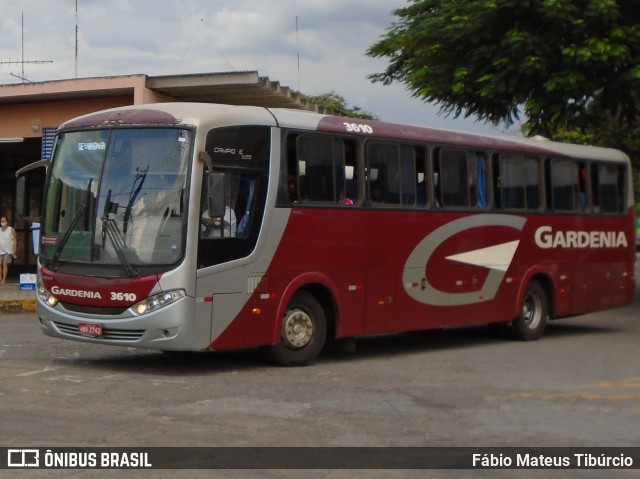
359, 256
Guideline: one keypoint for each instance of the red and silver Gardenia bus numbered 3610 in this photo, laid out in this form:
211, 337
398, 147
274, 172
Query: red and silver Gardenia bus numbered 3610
188, 227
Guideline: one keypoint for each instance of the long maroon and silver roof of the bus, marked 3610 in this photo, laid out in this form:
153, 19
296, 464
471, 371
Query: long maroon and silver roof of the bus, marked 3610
209, 115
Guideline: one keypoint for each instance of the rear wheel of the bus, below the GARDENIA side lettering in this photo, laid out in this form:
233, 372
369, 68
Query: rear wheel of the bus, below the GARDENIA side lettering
534, 314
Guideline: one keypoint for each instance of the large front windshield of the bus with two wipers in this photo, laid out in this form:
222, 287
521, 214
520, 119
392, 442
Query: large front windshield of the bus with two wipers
116, 199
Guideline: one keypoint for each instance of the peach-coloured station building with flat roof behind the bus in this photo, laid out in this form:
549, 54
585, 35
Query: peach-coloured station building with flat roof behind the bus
30, 112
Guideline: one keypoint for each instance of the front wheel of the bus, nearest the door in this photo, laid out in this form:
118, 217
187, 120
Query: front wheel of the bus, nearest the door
303, 332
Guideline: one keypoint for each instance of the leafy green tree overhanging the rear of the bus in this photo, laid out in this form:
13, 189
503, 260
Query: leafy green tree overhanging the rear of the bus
571, 67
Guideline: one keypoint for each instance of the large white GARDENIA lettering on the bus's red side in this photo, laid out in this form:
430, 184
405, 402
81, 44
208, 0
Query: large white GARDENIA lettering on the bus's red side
547, 238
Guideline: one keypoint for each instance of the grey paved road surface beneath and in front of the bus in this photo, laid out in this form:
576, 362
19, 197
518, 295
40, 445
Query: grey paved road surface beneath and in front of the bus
578, 386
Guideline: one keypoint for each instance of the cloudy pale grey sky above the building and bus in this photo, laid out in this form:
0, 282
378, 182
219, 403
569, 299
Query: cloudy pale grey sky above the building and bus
311, 46
